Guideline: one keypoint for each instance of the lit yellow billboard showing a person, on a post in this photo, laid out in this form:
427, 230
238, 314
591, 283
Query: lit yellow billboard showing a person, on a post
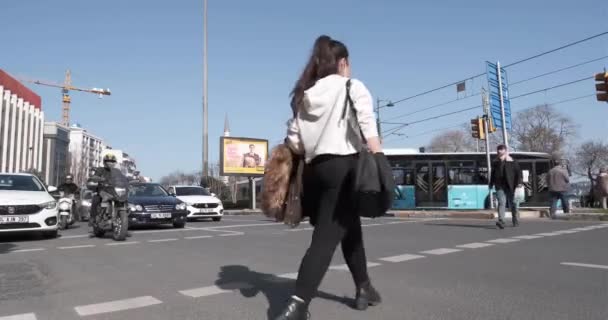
243, 156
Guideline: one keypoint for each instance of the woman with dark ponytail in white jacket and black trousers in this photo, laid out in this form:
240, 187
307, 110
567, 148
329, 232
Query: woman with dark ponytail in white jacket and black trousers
322, 132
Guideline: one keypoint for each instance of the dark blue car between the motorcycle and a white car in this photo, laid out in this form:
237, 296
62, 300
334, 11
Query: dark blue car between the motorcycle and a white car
150, 203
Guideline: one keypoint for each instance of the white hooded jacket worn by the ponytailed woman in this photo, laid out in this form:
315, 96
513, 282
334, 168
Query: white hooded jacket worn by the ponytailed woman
319, 129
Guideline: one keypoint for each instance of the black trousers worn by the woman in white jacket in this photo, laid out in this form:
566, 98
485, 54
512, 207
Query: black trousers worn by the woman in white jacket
327, 199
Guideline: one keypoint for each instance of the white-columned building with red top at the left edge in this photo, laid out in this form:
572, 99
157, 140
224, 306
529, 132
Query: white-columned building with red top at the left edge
21, 126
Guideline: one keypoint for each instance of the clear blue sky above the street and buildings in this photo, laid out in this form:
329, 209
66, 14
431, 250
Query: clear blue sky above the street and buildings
149, 53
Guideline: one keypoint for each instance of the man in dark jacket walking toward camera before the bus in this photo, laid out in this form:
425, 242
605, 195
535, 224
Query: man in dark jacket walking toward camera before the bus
506, 176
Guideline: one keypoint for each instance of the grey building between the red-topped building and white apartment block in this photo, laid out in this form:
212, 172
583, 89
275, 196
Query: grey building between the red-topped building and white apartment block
56, 153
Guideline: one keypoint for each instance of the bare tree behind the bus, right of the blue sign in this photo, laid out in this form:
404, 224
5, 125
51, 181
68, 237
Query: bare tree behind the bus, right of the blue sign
543, 129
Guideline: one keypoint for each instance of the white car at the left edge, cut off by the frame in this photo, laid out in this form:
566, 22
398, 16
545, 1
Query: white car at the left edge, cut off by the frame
26, 205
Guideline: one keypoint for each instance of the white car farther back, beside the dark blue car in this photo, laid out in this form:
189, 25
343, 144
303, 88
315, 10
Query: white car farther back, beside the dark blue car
201, 203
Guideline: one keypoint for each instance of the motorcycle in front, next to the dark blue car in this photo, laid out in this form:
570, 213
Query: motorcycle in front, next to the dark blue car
112, 213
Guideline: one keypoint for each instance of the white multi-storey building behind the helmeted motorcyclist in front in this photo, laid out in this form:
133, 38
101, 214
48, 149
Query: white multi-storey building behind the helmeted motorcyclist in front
85, 153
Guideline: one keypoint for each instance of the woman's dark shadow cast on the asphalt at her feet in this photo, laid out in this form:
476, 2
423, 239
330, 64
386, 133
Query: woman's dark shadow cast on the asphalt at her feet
276, 290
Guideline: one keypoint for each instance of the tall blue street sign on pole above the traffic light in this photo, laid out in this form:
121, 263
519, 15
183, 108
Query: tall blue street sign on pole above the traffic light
494, 93
